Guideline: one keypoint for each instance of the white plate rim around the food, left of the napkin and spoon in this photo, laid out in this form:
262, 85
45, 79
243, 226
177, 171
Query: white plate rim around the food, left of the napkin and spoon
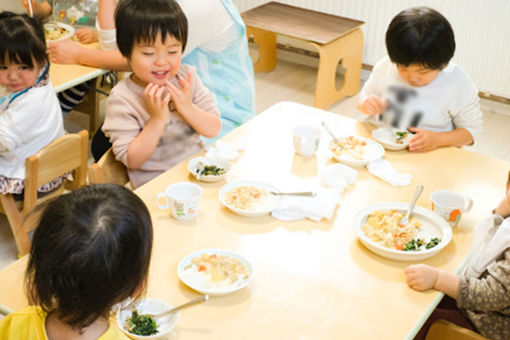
271, 203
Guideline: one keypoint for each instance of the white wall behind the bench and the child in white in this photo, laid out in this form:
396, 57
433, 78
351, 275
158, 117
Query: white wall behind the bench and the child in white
482, 32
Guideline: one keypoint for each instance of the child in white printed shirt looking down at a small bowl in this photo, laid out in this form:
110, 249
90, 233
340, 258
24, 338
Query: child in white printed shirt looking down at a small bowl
416, 87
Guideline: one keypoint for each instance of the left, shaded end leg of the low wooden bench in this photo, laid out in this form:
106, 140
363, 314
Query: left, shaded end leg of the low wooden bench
266, 42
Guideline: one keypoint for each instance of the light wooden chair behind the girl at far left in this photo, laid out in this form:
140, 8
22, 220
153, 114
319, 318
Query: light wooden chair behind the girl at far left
68, 153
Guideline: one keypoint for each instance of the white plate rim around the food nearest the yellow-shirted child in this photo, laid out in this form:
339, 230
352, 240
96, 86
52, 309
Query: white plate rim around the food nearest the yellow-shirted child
206, 288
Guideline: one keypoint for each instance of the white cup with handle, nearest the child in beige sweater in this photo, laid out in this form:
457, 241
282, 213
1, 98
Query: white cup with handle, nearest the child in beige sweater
182, 199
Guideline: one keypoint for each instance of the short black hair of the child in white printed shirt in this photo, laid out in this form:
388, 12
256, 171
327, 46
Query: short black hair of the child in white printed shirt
420, 35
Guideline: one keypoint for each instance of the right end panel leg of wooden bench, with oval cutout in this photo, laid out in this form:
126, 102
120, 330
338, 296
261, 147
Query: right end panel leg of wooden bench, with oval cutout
349, 49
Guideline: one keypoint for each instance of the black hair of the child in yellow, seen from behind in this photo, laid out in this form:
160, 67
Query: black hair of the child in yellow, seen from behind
91, 249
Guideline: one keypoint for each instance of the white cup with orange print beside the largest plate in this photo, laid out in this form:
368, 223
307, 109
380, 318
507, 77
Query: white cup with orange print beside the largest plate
450, 205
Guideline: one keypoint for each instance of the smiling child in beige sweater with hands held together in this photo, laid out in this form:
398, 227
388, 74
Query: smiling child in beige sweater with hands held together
155, 117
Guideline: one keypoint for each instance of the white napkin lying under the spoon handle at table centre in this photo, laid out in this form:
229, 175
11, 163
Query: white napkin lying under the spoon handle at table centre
315, 208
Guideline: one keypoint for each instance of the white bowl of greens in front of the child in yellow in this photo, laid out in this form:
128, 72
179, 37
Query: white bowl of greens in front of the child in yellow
135, 321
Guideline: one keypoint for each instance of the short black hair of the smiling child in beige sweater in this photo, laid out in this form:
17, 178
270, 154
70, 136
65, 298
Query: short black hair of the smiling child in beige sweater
142, 20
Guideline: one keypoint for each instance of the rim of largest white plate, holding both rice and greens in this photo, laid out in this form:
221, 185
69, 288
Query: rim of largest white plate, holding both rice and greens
432, 226
